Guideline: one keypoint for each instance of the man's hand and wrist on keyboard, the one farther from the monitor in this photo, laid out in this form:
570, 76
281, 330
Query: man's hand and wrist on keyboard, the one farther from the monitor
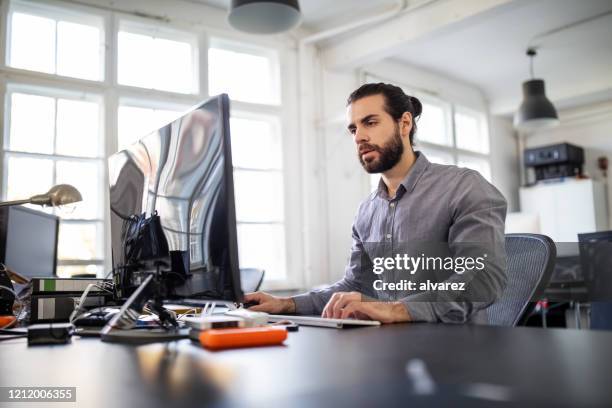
347, 305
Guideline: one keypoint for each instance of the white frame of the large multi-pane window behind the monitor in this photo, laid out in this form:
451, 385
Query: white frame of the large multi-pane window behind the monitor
114, 94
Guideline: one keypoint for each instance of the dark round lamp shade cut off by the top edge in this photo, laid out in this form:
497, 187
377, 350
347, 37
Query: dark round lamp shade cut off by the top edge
264, 16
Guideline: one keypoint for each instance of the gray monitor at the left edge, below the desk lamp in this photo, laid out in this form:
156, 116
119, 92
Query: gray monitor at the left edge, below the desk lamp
28, 241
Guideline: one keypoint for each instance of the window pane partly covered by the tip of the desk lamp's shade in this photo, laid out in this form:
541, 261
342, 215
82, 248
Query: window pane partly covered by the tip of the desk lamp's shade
87, 178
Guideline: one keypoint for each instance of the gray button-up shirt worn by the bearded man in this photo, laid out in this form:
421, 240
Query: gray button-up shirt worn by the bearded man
434, 203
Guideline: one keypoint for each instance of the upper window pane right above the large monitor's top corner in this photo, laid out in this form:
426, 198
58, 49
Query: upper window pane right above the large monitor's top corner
245, 77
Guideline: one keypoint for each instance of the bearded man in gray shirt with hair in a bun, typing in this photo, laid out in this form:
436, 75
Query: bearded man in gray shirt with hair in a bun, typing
416, 201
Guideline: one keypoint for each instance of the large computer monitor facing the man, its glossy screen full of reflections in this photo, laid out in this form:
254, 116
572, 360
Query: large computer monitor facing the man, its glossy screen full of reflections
183, 172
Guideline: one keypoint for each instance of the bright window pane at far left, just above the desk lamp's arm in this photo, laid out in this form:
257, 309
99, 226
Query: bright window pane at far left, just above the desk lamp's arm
27, 177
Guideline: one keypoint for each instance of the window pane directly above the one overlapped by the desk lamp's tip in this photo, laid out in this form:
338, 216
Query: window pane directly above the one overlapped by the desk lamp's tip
78, 124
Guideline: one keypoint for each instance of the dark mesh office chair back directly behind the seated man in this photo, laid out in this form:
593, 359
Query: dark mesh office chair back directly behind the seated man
530, 262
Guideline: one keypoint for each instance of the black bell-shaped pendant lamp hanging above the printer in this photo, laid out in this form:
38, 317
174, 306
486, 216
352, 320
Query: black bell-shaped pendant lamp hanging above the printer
536, 111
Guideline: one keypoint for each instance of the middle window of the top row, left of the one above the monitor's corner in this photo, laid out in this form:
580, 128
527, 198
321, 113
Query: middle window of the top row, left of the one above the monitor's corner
157, 59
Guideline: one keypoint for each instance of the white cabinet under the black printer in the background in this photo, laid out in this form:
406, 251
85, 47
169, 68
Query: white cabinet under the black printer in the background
567, 208
